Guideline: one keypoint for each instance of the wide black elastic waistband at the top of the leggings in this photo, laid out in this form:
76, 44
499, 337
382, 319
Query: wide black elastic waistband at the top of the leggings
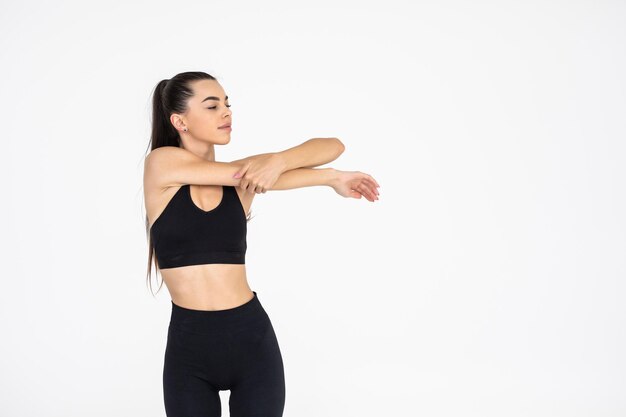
182, 315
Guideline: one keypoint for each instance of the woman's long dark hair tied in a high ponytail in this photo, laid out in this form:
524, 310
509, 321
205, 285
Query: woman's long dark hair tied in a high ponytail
170, 96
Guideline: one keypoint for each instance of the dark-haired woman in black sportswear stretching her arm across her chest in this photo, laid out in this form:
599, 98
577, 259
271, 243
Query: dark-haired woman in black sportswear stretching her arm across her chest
219, 336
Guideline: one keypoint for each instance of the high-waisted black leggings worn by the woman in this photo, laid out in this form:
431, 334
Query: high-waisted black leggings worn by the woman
210, 351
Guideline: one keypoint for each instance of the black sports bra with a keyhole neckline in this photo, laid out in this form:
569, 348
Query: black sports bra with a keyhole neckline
184, 234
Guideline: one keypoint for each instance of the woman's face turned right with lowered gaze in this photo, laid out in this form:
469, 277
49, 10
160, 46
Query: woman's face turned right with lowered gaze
208, 110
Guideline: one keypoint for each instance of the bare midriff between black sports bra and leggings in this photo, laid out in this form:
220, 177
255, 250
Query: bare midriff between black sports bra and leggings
208, 286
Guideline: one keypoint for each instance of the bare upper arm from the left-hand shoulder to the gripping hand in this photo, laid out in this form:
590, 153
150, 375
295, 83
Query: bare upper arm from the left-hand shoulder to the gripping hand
170, 166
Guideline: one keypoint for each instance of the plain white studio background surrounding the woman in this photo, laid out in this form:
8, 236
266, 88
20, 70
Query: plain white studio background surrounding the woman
488, 280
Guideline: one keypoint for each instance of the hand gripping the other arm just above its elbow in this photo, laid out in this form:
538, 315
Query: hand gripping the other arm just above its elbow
260, 172
